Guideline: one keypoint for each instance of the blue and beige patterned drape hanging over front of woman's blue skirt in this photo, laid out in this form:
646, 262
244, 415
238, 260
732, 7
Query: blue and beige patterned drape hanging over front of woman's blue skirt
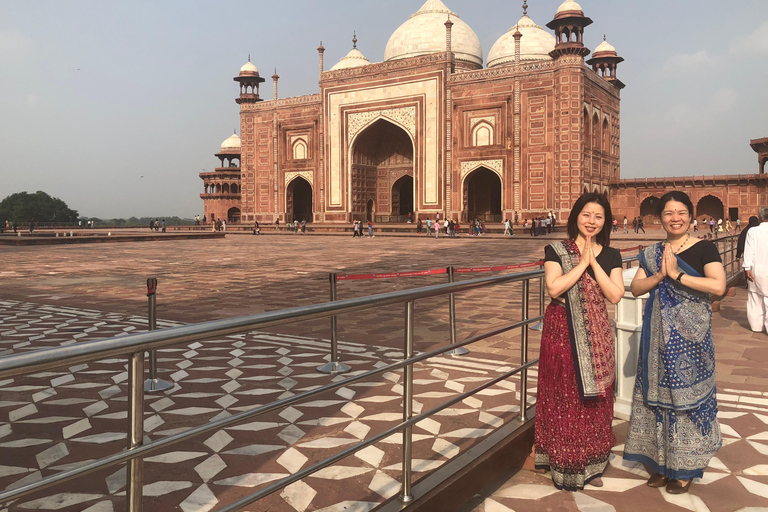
677, 352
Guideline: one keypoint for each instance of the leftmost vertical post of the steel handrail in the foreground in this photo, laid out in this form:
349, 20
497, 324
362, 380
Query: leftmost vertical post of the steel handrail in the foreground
135, 472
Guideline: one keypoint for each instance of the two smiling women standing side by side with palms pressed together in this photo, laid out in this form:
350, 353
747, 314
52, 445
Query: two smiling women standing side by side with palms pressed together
673, 430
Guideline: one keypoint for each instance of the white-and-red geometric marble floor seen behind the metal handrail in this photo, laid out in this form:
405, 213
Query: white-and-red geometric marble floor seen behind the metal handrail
56, 420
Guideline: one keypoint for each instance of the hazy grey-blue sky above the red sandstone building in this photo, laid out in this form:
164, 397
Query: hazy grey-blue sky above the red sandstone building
115, 107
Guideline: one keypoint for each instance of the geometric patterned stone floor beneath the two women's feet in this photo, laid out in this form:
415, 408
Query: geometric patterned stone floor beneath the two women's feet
737, 478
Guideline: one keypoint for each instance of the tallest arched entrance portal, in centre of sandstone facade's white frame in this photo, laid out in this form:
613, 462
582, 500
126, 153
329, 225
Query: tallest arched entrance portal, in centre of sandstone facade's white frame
382, 150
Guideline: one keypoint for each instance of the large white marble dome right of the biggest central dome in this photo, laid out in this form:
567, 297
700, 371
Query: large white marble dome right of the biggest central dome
535, 44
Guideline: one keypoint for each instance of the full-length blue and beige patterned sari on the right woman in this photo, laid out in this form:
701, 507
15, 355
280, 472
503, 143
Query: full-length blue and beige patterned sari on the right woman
673, 428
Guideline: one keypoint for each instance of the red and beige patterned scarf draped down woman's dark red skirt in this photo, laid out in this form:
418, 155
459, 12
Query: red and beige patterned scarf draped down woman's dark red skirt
590, 330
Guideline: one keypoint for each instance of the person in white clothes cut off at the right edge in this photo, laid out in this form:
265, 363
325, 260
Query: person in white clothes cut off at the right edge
756, 266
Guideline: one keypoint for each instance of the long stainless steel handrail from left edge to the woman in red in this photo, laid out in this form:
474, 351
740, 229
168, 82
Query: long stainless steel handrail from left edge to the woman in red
135, 345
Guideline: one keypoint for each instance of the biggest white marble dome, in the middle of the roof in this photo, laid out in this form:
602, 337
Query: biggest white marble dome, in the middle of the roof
424, 33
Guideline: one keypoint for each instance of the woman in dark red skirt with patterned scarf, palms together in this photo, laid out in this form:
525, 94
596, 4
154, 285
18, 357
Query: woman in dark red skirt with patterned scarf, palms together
574, 408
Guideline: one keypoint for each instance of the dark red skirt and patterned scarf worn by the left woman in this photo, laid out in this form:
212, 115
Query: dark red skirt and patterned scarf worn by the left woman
573, 412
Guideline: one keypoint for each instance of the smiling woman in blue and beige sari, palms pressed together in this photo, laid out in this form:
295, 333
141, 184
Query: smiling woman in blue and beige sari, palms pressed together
673, 429
